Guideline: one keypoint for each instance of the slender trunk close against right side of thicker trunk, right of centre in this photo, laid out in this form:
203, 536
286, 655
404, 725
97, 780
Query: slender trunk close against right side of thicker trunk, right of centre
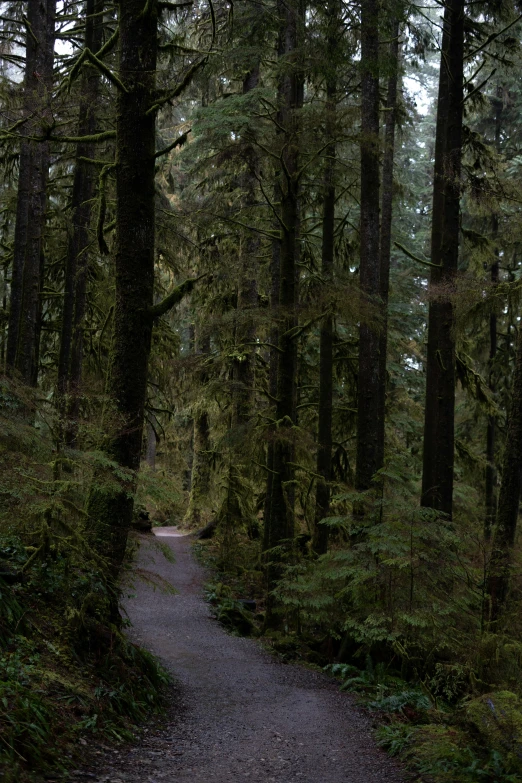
386, 222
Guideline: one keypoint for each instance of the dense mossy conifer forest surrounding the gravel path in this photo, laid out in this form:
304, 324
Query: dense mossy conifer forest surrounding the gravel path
261, 279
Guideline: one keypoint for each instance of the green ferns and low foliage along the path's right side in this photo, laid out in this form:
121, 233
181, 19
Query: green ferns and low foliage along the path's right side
451, 715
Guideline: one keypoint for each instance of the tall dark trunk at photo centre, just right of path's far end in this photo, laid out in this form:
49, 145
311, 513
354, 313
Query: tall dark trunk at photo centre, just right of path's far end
279, 525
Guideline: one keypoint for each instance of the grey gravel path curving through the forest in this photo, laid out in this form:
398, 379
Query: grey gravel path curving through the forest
245, 716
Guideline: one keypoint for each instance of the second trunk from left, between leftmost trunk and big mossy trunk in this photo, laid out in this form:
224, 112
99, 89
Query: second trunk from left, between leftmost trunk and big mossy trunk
76, 271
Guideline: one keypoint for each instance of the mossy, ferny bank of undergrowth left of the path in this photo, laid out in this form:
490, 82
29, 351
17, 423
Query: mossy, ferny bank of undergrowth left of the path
68, 674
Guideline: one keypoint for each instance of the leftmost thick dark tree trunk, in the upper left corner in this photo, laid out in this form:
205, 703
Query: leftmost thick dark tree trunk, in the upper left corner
32, 185
